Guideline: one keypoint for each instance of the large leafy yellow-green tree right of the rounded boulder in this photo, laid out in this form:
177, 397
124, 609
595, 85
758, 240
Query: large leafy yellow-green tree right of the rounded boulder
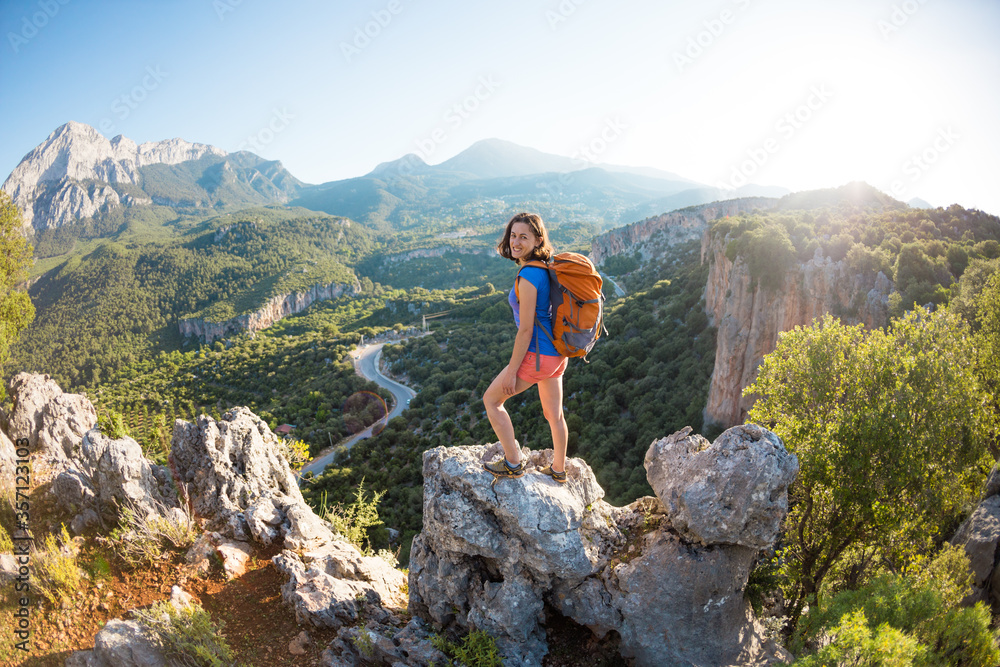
890, 430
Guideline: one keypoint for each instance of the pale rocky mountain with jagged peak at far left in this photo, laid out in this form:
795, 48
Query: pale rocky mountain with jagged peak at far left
78, 173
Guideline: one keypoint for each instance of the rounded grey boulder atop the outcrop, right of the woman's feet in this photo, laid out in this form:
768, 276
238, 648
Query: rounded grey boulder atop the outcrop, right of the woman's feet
733, 491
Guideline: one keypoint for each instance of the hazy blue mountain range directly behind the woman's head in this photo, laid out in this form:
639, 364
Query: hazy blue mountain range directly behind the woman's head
406, 193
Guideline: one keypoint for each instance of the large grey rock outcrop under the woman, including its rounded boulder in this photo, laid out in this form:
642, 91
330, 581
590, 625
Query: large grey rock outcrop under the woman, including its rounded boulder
493, 556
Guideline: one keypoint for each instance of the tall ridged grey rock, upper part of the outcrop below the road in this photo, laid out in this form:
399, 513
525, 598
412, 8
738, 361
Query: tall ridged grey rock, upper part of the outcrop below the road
228, 465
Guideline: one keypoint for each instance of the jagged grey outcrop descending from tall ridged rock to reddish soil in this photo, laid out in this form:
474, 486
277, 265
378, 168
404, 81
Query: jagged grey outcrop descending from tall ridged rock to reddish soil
242, 487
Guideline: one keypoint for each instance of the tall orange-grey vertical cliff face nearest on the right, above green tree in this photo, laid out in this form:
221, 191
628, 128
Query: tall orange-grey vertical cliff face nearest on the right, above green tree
748, 319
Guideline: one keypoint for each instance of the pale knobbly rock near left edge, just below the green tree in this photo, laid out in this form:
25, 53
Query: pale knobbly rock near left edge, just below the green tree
53, 422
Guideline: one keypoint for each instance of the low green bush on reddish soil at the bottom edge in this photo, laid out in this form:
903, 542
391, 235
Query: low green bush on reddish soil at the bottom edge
187, 635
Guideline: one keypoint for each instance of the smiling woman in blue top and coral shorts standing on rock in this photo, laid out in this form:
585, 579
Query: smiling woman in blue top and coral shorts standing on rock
534, 359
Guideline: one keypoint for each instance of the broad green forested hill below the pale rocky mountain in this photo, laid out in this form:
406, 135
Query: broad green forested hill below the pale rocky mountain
122, 300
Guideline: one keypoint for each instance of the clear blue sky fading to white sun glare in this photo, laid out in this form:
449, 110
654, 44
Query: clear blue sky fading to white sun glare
902, 94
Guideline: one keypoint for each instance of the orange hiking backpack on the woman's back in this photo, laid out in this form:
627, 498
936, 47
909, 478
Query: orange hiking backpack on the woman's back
577, 303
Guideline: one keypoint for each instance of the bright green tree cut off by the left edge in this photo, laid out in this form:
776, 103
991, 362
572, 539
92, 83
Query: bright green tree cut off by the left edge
16, 309
